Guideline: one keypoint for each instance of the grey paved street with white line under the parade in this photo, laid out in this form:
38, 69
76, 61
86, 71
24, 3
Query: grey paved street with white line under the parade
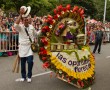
42, 81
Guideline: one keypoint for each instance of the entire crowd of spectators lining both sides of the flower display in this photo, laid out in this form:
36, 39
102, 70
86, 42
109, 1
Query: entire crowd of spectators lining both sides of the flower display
9, 36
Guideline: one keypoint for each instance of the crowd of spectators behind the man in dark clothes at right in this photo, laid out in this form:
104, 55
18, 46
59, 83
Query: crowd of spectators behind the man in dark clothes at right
92, 27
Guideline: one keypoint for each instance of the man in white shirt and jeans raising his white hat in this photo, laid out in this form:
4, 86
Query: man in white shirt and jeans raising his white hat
25, 52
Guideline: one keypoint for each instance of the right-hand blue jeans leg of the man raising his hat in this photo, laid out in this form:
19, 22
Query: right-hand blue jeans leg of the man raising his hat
30, 65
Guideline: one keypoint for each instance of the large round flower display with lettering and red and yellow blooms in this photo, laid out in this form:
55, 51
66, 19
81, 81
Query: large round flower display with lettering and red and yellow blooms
62, 48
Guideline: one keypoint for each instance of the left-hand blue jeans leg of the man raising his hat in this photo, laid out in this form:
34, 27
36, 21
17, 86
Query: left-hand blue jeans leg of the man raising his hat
23, 67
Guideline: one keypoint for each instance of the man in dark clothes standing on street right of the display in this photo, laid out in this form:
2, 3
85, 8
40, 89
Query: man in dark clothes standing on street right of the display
98, 39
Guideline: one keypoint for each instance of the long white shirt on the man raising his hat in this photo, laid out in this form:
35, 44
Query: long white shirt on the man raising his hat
24, 42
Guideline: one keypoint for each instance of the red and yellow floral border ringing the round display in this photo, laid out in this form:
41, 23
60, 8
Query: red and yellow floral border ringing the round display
82, 80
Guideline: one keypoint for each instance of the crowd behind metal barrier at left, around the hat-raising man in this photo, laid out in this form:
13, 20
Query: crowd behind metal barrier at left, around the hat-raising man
8, 34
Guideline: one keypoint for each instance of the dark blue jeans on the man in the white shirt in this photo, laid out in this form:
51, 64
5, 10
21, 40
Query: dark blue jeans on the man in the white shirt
29, 60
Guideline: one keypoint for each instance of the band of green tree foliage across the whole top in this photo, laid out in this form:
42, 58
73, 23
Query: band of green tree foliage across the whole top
94, 8
